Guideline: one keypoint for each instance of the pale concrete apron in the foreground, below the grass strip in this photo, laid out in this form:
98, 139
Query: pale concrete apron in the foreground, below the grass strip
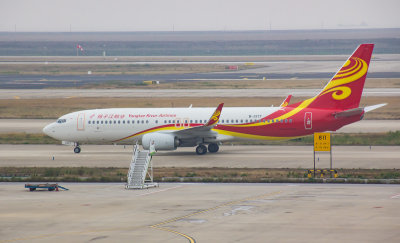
201, 213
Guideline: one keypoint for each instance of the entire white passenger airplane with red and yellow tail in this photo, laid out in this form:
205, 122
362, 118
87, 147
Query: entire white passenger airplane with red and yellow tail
334, 107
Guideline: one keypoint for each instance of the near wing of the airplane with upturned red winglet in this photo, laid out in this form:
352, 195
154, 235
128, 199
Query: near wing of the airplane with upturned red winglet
203, 129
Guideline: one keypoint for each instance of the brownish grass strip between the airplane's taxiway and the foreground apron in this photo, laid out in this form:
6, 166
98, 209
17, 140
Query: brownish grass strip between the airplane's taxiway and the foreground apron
112, 174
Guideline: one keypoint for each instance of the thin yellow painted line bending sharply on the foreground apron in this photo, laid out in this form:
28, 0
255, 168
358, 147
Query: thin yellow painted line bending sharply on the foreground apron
191, 240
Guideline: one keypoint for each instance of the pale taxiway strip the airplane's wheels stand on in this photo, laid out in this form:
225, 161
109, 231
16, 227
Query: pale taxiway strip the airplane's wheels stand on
378, 157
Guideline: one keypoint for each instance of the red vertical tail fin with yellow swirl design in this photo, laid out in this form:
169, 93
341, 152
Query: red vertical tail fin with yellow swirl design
344, 90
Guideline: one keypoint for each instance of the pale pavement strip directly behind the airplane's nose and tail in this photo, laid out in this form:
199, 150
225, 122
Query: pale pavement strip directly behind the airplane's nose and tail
36, 126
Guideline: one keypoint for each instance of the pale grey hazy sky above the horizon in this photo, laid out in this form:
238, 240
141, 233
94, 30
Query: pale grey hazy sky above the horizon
183, 15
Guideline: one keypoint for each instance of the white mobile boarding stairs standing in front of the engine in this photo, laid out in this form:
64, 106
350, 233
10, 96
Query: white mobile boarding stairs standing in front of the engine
139, 175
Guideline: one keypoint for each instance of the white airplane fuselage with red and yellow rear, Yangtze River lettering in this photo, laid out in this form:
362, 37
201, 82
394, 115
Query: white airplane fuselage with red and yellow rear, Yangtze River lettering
130, 124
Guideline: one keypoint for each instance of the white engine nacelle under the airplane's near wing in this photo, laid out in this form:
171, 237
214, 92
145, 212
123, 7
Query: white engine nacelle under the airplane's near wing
162, 141
